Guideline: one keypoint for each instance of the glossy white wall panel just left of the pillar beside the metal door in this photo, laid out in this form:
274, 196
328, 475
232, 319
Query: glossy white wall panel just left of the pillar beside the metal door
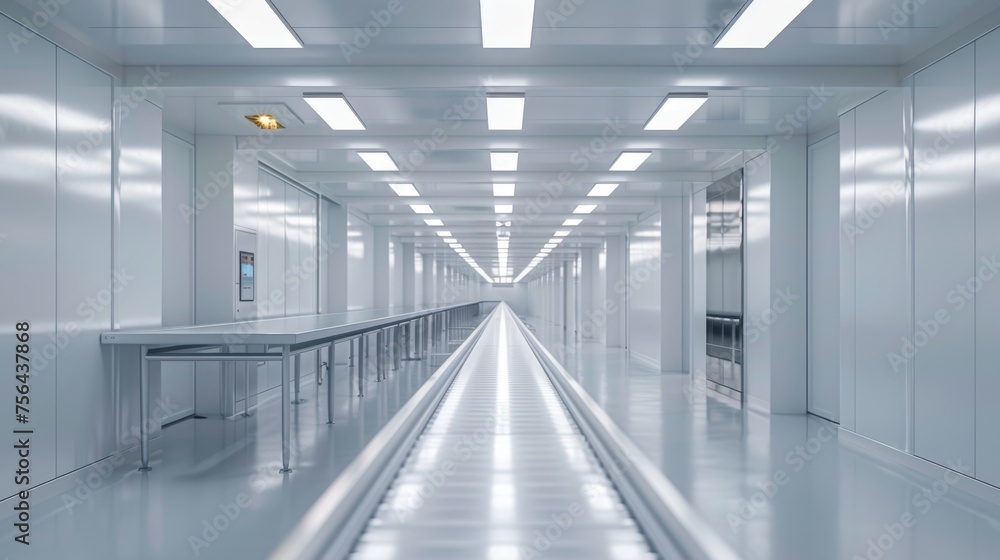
643, 281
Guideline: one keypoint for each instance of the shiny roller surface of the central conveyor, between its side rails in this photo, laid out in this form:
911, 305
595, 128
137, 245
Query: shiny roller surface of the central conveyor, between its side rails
501, 471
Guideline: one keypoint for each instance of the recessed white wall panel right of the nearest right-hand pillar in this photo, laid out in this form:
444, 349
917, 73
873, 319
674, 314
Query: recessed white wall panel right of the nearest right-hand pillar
824, 278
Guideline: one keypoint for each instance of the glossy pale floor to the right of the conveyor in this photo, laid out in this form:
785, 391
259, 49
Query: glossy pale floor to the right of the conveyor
780, 488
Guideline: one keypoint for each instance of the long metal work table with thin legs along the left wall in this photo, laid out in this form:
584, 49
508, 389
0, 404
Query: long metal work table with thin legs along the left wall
282, 338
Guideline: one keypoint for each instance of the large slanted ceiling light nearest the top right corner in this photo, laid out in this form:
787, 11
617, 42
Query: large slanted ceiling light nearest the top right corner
760, 23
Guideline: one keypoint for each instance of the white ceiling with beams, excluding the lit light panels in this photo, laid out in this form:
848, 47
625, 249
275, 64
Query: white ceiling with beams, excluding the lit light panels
609, 61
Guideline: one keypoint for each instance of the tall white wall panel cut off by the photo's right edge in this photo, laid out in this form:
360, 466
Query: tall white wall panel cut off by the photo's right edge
987, 255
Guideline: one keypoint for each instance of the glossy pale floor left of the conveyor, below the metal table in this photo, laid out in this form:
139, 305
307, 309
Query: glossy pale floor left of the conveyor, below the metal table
210, 468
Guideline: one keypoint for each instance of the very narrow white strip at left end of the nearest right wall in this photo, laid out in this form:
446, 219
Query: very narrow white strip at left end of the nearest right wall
846, 273
